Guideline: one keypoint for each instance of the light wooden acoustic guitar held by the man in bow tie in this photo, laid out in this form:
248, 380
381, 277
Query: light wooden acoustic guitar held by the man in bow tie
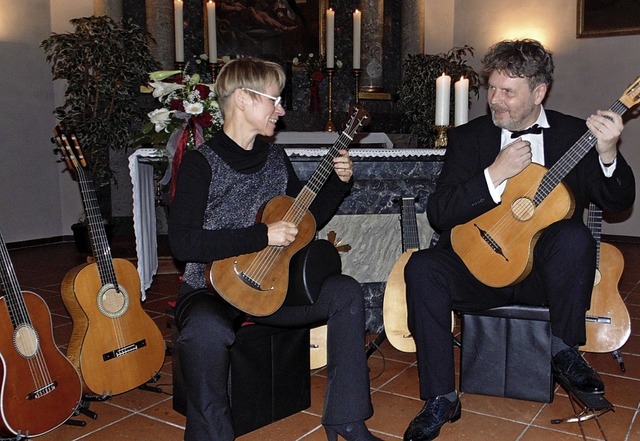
497, 246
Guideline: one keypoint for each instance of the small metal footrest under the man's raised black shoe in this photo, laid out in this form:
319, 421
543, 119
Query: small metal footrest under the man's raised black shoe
585, 407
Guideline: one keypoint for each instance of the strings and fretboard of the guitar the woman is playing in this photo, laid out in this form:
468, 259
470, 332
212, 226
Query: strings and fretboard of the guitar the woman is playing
264, 261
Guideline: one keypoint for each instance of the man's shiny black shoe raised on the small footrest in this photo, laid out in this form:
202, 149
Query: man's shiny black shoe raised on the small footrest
572, 369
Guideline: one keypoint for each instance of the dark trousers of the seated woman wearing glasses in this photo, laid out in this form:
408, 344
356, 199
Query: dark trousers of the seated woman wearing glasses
207, 331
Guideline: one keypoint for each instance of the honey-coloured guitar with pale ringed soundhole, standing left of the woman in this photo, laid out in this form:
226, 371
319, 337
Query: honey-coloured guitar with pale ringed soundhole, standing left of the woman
114, 344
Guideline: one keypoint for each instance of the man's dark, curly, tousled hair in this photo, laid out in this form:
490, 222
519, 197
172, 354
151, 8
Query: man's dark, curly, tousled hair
519, 59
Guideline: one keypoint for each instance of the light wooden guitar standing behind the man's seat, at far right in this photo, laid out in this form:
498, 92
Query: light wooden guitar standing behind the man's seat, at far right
608, 321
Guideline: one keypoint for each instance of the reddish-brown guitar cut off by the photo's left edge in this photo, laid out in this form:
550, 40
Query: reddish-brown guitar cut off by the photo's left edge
40, 387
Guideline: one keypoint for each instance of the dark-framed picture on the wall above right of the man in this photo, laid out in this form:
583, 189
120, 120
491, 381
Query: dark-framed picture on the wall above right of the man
607, 18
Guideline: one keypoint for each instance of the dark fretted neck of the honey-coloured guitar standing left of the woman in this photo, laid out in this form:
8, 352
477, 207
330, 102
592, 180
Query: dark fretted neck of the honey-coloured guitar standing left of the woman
97, 233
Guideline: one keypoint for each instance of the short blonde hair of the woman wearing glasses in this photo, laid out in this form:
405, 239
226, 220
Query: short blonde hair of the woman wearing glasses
247, 72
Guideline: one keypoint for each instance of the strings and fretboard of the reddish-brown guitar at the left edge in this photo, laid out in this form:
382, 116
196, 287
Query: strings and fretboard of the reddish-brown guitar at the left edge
15, 302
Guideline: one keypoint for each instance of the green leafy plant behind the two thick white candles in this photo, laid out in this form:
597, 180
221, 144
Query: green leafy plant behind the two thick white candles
417, 92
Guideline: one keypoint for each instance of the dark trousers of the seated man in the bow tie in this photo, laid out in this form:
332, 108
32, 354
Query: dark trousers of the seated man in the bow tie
439, 282
